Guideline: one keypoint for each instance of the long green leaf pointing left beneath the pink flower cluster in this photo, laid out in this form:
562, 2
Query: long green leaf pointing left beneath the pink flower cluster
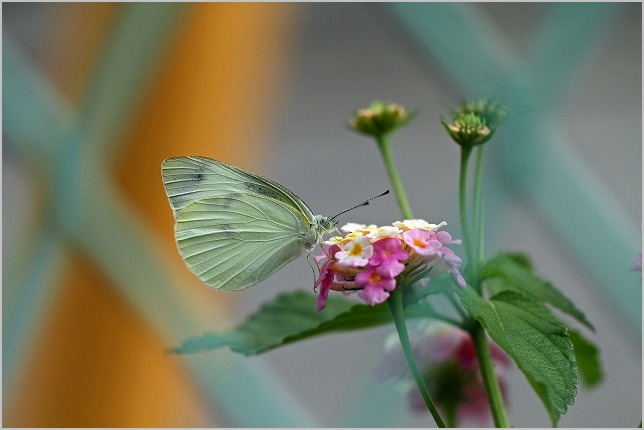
291, 317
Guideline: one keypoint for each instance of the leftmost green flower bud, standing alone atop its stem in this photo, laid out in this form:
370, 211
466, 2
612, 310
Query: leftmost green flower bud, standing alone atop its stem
380, 118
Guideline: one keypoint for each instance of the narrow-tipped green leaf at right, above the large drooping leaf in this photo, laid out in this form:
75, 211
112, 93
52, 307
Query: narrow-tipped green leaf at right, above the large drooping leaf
513, 271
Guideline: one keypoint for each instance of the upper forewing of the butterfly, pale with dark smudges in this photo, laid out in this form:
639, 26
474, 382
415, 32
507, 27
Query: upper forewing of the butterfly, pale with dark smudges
188, 179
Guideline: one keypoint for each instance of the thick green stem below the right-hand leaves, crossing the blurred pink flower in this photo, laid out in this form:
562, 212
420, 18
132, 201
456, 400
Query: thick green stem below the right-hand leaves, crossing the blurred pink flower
497, 406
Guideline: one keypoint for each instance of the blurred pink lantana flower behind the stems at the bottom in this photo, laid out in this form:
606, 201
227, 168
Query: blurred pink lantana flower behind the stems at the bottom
447, 361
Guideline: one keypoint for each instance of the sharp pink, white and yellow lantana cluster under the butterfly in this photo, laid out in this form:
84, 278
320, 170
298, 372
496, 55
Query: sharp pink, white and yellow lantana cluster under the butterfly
371, 260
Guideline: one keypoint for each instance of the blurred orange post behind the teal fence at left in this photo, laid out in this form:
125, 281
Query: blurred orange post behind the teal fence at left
96, 362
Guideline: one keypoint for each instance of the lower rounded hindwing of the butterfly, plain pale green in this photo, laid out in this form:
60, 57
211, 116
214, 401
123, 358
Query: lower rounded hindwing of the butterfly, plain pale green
233, 241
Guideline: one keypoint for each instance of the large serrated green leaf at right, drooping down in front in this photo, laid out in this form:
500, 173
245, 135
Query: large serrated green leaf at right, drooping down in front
536, 340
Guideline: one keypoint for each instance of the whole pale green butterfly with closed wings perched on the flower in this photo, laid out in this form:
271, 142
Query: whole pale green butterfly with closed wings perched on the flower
235, 228
